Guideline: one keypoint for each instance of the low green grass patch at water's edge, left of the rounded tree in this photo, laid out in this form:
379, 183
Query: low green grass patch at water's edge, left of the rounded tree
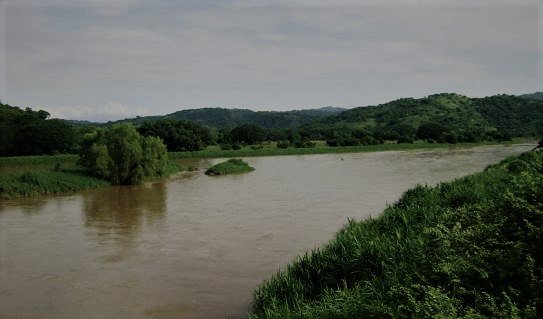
42, 182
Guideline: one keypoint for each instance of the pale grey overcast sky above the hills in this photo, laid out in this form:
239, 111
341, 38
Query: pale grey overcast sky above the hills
104, 60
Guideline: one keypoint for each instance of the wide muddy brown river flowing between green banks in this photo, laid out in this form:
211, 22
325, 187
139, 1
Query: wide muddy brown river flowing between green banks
196, 246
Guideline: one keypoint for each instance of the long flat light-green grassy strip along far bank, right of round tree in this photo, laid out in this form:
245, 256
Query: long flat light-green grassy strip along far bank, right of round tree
271, 149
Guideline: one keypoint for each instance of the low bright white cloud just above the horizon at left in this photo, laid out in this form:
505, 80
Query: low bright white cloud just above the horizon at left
101, 113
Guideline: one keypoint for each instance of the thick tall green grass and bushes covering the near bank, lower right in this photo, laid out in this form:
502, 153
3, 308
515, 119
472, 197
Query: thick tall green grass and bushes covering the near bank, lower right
470, 248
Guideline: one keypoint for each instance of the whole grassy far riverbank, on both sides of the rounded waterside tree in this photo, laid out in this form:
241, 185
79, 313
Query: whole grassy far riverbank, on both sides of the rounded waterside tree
50, 171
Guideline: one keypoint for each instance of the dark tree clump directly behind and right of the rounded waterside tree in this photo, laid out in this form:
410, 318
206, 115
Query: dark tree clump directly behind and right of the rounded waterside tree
179, 136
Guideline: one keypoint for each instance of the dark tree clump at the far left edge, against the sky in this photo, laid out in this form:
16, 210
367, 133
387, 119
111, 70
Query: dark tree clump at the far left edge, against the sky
28, 132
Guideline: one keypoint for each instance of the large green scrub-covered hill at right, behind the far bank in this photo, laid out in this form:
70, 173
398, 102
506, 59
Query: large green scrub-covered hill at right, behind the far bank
442, 117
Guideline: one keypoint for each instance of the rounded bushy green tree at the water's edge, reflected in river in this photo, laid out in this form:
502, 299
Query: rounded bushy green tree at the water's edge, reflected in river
122, 156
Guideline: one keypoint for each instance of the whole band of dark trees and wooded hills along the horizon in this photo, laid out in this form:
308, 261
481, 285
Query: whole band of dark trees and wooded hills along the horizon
439, 118
